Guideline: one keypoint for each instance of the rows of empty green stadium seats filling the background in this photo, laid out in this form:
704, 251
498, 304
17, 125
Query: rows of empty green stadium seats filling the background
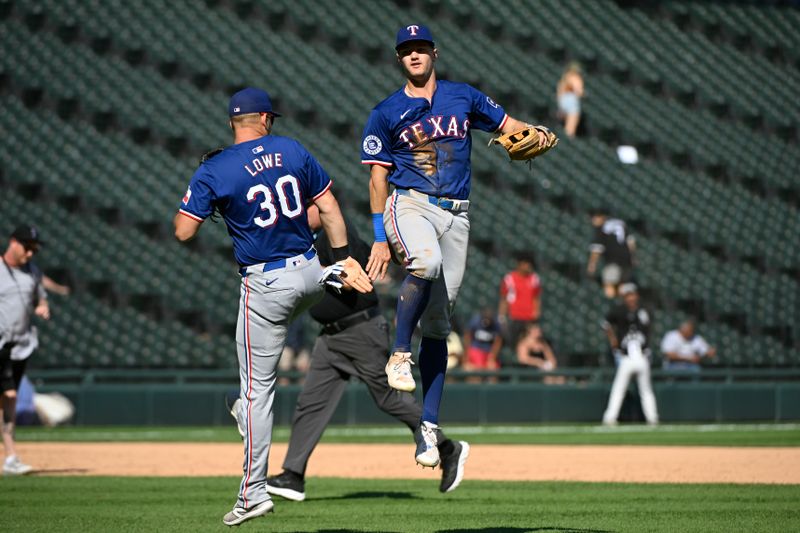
148, 79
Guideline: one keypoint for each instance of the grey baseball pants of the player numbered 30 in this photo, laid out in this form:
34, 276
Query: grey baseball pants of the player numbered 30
269, 301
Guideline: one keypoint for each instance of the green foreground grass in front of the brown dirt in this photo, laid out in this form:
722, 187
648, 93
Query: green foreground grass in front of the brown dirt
86, 504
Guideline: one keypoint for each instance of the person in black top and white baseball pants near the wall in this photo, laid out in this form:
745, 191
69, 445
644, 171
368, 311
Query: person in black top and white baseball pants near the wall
628, 329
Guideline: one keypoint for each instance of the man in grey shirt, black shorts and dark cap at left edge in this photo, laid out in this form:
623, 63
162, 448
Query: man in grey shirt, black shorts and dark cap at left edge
22, 296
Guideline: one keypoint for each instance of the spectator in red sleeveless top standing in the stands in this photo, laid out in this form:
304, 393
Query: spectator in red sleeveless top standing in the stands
520, 299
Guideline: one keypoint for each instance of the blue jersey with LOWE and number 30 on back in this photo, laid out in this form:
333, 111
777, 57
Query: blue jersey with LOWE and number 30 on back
260, 188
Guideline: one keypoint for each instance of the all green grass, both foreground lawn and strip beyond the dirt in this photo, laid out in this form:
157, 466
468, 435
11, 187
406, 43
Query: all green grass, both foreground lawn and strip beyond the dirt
100, 504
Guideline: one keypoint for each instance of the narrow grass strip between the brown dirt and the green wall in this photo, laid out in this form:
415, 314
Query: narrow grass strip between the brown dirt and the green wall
679, 435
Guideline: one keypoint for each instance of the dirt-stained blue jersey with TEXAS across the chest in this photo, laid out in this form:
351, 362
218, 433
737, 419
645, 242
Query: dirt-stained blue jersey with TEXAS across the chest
427, 145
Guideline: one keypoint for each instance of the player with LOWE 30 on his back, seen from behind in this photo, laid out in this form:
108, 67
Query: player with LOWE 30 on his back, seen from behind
260, 185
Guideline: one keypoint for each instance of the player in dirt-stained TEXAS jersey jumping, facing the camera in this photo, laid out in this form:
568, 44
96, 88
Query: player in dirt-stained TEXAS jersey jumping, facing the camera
418, 139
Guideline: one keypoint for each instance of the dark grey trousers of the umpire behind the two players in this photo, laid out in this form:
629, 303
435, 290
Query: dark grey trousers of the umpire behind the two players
362, 351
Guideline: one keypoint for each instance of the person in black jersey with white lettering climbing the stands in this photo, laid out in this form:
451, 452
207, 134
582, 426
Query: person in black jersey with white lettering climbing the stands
617, 248
